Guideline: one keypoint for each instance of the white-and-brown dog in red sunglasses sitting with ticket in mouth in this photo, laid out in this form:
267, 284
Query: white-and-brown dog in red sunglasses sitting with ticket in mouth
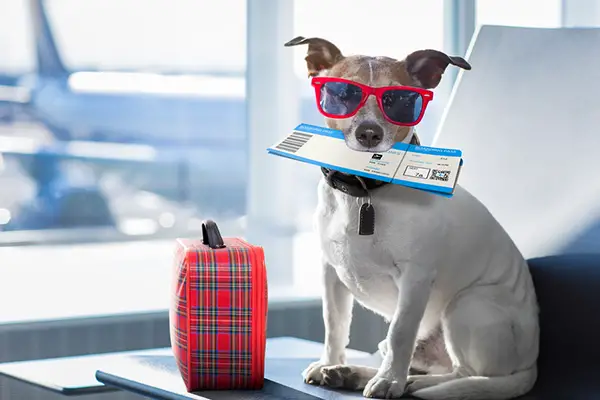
456, 291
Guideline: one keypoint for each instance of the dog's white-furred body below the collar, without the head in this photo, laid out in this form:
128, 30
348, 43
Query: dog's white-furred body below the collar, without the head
432, 260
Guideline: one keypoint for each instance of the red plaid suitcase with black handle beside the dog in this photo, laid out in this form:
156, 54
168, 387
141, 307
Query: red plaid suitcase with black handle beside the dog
218, 312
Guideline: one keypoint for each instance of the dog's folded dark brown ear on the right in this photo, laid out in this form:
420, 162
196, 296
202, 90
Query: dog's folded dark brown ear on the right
427, 66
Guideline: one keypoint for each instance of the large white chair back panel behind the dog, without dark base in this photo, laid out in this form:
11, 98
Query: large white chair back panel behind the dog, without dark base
526, 117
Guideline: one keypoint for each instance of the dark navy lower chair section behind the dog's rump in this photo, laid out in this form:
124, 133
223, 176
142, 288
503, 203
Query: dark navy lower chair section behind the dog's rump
568, 293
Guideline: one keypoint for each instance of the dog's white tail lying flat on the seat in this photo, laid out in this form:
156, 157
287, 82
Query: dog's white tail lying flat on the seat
477, 387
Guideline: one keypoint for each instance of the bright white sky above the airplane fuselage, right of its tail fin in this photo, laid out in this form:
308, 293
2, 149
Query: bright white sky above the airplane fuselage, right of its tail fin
157, 35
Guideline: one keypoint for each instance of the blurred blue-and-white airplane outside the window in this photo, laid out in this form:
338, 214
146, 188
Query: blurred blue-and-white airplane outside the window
180, 136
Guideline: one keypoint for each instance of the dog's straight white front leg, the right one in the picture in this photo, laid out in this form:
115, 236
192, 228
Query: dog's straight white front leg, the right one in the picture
414, 286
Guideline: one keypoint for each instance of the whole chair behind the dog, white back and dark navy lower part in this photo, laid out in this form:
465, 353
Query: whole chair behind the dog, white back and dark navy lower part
527, 120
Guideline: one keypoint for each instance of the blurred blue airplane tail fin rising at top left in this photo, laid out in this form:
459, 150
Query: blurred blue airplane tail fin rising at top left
49, 61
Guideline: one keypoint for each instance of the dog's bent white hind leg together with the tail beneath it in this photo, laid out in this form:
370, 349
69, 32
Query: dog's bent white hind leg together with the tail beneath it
492, 340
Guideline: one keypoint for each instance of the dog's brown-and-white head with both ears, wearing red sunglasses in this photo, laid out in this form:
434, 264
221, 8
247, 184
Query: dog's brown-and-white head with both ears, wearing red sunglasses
368, 129
